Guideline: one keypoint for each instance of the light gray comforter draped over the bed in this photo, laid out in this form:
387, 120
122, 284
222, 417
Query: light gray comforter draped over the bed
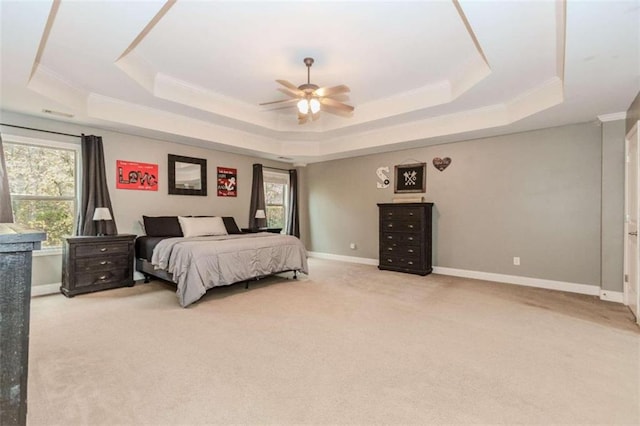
200, 263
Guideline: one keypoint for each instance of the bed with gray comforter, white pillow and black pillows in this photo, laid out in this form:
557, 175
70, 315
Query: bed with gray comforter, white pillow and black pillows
195, 262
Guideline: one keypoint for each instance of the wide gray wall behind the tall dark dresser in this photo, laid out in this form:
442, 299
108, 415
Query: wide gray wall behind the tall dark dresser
536, 195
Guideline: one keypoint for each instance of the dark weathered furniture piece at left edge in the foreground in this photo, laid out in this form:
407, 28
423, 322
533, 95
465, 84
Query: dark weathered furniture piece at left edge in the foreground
16, 245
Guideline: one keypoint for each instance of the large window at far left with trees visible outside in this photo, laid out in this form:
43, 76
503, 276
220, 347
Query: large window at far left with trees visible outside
43, 183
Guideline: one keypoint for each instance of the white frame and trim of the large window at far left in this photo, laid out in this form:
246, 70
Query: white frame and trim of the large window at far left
45, 143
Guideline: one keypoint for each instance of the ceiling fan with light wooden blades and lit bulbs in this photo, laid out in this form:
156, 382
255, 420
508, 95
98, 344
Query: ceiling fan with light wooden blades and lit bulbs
311, 99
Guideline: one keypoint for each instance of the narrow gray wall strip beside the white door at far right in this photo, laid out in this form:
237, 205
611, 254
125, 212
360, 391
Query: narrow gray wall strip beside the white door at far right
613, 157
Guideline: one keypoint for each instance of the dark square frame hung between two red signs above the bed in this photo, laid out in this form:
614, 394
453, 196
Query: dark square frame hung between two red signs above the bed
187, 175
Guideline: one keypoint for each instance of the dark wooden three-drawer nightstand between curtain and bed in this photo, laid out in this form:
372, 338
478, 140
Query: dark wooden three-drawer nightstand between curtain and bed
96, 263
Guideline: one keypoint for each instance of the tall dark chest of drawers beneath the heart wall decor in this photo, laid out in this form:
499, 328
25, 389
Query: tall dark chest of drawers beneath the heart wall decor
405, 237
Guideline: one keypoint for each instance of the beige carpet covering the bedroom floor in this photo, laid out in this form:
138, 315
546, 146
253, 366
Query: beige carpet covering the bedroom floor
347, 345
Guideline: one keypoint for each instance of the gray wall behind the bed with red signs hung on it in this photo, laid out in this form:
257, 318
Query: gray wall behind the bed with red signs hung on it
129, 205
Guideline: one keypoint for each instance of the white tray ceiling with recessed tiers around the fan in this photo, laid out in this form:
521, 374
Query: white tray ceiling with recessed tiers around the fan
420, 72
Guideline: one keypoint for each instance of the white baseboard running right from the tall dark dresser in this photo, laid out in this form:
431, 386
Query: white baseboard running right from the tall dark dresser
518, 280
